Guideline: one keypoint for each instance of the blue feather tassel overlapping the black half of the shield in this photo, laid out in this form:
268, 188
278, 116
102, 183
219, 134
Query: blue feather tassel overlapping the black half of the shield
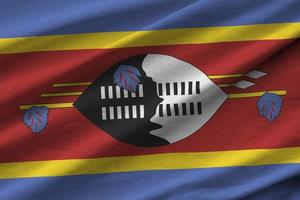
127, 77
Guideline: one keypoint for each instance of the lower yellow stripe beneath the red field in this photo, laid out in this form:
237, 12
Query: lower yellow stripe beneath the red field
167, 161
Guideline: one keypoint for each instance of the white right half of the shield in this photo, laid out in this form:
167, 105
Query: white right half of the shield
163, 68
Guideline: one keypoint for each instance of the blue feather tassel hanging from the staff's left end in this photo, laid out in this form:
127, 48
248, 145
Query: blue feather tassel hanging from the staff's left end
36, 118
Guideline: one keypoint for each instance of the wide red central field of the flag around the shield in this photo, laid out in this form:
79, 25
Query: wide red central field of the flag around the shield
236, 125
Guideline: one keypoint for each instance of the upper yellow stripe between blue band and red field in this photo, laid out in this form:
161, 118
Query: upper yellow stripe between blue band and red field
107, 40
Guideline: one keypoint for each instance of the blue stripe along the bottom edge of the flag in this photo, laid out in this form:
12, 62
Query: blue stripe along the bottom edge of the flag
253, 183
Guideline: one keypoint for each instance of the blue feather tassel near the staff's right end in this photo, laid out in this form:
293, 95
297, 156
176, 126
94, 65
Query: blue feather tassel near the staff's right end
269, 106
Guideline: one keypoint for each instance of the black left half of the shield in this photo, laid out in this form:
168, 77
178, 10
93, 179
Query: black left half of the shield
132, 131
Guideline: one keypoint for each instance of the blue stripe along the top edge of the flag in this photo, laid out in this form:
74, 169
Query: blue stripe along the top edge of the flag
35, 17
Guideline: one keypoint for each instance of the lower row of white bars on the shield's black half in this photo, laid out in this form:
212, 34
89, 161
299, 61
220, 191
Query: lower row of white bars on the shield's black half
122, 112
